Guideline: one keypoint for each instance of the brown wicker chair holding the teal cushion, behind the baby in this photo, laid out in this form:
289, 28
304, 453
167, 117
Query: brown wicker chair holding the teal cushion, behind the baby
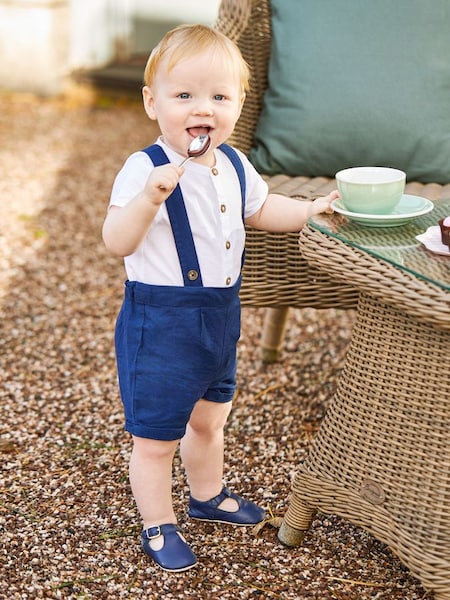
275, 275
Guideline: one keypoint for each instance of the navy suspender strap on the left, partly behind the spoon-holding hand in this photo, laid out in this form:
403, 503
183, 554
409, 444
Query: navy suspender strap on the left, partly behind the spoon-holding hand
179, 221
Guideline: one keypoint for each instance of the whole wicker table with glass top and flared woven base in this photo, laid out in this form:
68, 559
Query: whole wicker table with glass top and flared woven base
382, 455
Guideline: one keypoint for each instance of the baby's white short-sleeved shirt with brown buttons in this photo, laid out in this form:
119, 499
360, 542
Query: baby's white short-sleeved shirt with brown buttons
214, 207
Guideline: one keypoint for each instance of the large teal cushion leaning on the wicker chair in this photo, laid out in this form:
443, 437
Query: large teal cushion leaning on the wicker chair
357, 83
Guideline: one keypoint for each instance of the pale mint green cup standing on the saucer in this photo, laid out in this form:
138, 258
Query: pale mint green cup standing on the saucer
370, 190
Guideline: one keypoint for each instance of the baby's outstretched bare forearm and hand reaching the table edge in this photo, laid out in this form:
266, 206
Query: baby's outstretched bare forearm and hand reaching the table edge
281, 213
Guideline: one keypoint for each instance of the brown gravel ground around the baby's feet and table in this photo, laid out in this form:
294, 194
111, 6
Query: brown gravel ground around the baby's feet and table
69, 528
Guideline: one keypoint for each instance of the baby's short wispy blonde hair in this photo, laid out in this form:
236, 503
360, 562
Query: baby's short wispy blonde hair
186, 41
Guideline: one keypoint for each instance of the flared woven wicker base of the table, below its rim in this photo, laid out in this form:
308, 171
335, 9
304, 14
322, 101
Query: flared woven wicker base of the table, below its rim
381, 456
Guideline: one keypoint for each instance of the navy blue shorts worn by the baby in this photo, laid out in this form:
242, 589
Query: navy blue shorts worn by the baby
174, 345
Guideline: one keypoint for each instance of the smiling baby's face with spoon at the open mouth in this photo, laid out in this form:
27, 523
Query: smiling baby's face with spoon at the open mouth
199, 95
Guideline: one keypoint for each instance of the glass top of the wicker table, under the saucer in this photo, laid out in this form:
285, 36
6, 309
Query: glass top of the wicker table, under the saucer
397, 245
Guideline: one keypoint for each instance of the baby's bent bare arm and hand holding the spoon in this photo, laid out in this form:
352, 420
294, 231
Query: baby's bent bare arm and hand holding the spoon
125, 227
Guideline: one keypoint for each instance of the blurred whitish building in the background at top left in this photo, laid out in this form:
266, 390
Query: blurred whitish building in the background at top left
43, 41
